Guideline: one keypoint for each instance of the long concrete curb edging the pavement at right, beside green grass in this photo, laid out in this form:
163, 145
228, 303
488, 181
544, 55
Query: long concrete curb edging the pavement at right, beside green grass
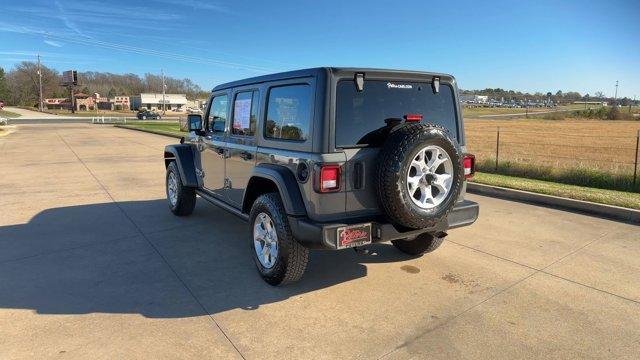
605, 211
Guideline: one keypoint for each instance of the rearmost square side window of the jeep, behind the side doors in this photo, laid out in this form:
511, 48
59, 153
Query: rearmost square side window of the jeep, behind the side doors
289, 112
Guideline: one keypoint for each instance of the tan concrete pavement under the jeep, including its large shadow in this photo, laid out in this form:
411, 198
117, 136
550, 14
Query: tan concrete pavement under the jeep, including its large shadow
93, 265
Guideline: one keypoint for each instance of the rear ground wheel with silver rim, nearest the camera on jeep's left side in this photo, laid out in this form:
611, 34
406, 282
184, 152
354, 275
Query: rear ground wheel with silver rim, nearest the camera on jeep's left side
279, 258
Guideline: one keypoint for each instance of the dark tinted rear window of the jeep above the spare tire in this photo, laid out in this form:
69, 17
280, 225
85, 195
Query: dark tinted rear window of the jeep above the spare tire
364, 118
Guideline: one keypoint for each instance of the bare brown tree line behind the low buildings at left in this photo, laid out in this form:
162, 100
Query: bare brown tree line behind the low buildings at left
20, 85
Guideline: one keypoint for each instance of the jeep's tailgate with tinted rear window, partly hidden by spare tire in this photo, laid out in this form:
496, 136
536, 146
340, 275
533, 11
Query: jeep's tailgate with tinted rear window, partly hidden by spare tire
362, 123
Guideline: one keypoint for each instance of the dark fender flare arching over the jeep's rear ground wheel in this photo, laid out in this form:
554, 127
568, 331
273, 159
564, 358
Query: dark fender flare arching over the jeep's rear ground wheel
286, 183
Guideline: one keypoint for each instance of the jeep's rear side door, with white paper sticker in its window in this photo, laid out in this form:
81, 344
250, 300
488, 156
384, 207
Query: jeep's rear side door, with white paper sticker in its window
241, 143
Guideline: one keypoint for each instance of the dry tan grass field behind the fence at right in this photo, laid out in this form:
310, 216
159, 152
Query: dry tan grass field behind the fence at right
602, 145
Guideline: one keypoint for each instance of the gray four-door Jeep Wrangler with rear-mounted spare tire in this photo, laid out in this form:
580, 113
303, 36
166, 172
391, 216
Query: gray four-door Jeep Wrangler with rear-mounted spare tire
328, 158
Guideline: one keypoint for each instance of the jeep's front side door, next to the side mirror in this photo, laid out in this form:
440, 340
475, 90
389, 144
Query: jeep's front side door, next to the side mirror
212, 144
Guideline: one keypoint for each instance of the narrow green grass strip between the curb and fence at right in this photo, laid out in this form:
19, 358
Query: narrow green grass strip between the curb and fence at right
601, 196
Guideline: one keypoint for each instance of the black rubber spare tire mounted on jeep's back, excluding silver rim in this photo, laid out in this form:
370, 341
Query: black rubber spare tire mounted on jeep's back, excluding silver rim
395, 158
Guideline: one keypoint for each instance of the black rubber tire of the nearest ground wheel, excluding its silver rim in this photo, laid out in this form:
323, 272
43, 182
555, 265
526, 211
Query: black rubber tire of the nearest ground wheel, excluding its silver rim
292, 257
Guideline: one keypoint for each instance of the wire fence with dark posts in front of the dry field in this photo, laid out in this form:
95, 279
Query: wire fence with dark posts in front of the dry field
613, 154
